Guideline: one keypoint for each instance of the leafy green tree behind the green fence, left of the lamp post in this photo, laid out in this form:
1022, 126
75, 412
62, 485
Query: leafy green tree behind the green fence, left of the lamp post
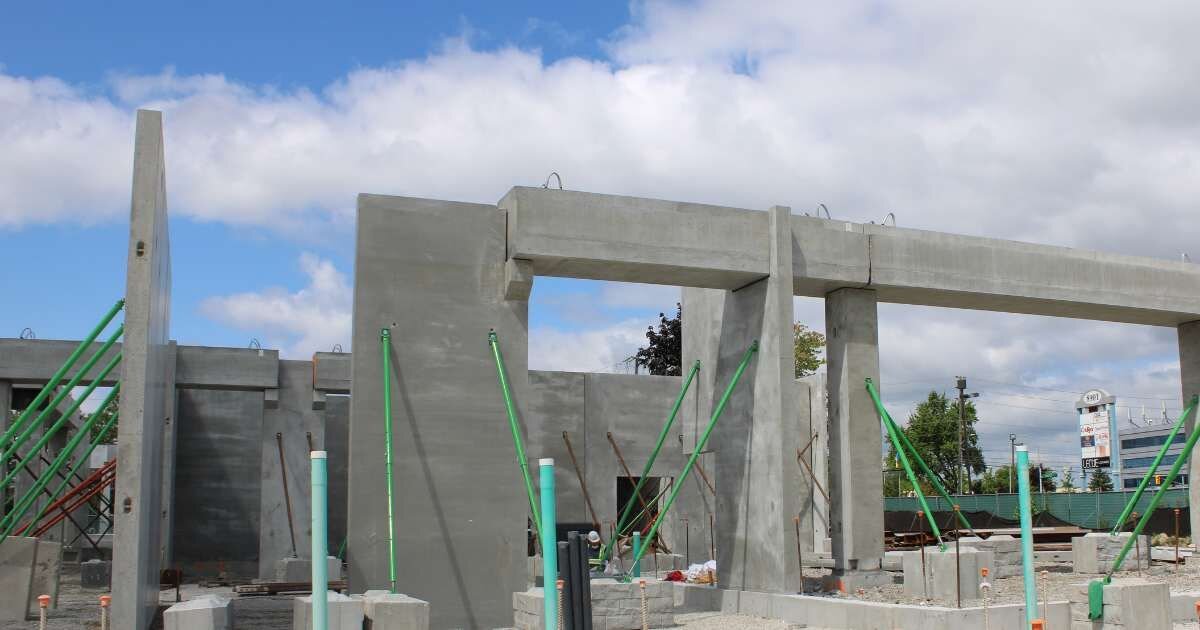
934, 433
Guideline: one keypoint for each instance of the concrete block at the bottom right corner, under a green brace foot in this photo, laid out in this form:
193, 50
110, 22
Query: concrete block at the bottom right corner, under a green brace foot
1129, 604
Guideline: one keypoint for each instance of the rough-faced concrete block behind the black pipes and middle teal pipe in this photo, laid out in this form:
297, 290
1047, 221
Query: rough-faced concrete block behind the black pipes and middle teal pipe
615, 607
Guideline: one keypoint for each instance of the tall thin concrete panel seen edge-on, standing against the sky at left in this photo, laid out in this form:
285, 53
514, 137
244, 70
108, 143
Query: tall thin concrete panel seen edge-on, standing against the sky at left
146, 394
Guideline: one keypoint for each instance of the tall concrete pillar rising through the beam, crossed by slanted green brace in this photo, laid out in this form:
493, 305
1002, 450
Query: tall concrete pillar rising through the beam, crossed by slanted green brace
759, 491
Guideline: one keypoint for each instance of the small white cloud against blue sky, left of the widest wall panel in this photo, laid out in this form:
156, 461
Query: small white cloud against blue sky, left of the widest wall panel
311, 320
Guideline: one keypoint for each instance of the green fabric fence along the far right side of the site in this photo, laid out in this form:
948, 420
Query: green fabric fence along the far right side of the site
1090, 511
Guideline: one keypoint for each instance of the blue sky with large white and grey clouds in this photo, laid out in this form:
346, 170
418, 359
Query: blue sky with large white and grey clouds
1070, 124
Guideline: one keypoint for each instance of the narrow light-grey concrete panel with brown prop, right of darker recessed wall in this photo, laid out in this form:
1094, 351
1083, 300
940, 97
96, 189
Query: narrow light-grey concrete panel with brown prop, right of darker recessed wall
293, 421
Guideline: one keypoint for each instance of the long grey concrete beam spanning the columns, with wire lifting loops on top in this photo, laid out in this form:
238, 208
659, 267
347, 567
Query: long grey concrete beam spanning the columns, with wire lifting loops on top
604, 237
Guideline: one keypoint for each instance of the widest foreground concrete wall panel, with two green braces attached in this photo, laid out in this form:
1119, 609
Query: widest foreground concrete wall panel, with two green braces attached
433, 272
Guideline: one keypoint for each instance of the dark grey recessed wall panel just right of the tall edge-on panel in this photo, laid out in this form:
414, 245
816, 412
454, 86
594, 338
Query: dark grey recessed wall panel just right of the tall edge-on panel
223, 433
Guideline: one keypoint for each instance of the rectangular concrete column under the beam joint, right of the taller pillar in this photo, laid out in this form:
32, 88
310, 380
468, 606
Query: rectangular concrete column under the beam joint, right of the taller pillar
856, 489
